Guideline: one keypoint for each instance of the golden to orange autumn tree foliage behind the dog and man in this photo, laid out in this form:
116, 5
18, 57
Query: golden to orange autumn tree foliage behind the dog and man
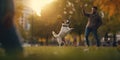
52, 15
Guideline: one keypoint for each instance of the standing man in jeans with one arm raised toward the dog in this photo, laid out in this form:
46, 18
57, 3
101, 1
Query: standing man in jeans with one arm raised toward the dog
94, 22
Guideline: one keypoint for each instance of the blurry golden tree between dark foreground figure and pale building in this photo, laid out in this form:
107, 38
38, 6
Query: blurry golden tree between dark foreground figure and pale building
19, 7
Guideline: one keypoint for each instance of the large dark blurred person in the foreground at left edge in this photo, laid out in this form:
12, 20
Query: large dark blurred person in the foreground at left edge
8, 37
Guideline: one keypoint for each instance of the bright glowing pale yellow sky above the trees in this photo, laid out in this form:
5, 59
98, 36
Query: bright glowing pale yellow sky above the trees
36, 5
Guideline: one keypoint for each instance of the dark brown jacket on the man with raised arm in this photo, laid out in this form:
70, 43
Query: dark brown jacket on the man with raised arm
94, 20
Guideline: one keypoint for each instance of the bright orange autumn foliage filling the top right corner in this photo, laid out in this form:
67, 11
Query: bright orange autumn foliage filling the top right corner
109, 6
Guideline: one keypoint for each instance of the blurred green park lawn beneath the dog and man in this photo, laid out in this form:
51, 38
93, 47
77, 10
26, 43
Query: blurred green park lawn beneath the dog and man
70, 53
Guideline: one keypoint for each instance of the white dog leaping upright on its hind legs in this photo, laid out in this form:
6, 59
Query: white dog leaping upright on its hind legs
65, 29
